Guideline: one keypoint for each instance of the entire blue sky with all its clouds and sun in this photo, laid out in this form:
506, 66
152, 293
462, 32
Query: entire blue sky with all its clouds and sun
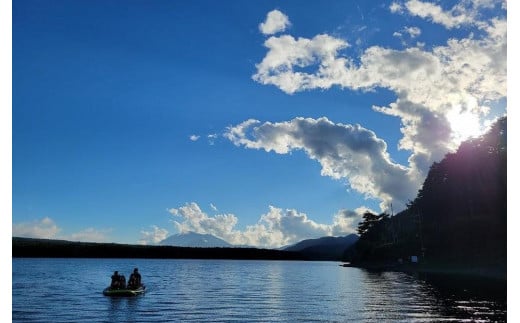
263, 124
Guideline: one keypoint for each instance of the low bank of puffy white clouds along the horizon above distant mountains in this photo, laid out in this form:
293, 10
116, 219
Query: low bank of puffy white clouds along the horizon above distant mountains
276, 228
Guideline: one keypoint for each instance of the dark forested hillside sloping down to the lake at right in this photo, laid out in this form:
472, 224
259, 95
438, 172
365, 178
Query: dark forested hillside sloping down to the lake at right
459, 217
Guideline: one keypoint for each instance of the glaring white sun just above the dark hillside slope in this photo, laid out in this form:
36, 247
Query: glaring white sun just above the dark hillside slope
464, 124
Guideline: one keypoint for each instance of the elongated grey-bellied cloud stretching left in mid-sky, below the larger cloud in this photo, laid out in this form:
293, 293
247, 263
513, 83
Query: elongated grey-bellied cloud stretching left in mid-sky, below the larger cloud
344, 151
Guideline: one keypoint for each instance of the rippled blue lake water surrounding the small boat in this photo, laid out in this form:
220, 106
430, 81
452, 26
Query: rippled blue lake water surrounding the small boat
70, 290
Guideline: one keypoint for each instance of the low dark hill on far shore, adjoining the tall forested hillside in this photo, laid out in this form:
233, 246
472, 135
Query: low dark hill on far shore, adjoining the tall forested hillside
325, 248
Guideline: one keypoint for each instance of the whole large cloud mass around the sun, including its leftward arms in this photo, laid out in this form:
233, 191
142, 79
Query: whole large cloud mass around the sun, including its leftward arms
443, 95
